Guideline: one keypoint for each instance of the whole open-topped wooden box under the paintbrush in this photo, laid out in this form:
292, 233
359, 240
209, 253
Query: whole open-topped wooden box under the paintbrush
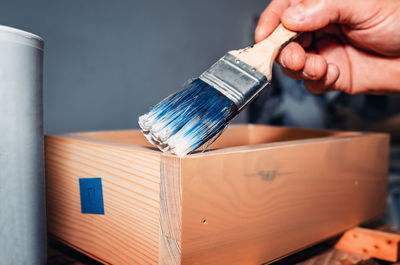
261, 194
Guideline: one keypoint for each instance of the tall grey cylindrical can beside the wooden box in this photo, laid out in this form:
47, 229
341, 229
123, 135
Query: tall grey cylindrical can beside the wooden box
22, 187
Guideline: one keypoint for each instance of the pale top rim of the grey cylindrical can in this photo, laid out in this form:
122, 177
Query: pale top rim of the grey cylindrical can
21, 36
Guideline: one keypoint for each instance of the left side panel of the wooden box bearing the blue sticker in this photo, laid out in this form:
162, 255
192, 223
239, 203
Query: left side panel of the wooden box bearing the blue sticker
128, 231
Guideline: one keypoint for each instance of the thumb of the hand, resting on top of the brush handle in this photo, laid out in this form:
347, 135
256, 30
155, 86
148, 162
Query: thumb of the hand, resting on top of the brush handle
310, 15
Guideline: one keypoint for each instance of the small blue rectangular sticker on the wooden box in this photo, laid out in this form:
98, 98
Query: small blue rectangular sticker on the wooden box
91, 195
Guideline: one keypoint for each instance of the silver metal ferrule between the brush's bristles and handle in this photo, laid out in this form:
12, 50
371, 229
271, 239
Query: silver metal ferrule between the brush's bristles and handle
235, 79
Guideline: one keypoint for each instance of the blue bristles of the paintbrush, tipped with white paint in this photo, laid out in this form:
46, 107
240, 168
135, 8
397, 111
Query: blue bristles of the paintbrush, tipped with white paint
187, 119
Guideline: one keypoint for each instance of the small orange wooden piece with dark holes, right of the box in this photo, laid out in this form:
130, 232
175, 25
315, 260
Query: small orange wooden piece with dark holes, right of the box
374, 243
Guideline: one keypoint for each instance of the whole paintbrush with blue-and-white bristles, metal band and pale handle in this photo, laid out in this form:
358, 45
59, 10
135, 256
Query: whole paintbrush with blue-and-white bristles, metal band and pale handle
191, 117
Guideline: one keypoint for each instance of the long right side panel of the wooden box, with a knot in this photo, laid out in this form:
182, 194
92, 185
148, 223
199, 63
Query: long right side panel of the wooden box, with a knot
255, 207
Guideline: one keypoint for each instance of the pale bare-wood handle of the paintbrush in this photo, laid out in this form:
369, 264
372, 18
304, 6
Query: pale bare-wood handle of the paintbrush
262, 55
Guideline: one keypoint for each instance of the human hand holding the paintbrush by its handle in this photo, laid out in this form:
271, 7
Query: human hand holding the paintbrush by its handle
347, 45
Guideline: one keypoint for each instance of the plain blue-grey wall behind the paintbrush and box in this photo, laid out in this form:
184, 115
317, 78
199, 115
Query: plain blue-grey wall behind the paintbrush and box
107, 62
